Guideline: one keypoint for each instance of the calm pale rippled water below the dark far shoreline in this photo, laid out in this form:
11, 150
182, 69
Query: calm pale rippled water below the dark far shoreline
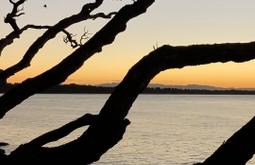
165, 129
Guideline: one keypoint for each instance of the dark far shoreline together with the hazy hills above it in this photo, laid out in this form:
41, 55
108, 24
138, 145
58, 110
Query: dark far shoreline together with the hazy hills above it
152, 89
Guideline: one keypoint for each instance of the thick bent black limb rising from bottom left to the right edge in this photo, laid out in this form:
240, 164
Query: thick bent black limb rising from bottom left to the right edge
111, 124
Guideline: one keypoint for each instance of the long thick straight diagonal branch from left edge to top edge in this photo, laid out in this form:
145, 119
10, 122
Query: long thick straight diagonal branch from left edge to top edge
74, 61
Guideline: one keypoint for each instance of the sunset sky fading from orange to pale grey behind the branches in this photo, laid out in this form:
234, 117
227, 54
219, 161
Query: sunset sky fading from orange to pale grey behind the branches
173, 22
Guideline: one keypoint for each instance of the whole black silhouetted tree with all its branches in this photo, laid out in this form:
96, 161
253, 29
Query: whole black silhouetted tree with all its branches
107, 128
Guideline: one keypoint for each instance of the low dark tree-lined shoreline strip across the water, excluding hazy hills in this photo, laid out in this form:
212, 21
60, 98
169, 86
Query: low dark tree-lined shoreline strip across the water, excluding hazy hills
89, 89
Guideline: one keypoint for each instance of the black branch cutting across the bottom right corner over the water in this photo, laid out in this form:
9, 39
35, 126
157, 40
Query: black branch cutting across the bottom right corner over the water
238, 149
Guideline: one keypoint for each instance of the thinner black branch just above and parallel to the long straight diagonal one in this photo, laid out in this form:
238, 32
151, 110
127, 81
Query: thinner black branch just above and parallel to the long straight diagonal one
49, 34
